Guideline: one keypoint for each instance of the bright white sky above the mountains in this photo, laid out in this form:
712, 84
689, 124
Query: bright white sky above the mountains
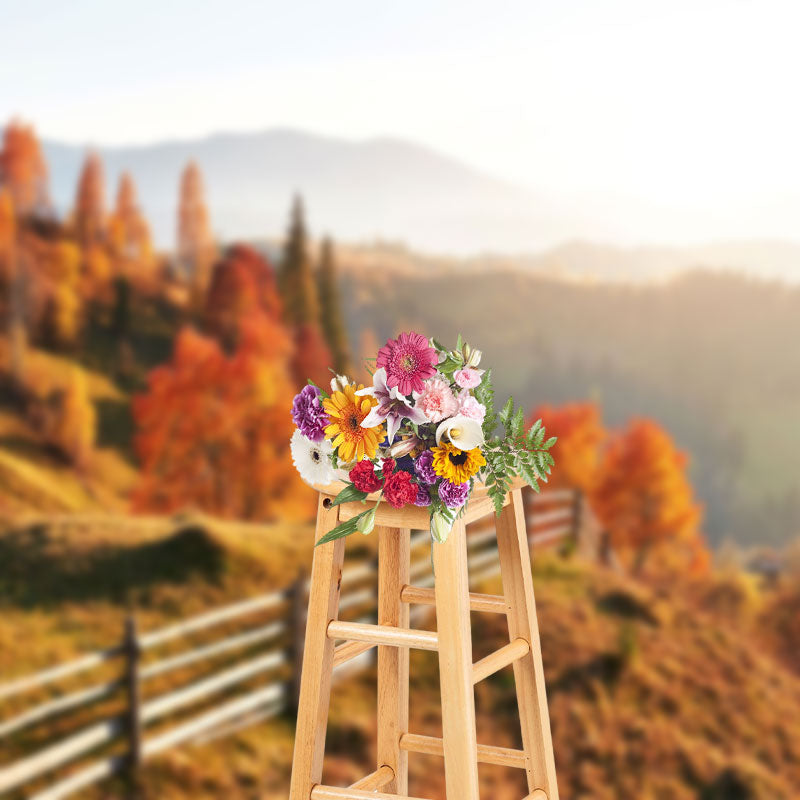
689, 107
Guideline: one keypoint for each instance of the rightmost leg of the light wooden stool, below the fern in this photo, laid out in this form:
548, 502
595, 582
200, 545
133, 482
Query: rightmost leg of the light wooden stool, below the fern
512, 542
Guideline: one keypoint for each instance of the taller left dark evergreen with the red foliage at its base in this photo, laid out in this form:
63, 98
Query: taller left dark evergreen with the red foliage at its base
298, 289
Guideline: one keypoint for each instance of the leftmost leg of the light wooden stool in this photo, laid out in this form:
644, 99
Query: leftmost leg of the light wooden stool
315, 684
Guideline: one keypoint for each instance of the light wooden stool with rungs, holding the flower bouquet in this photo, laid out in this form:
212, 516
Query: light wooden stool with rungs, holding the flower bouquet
393, 637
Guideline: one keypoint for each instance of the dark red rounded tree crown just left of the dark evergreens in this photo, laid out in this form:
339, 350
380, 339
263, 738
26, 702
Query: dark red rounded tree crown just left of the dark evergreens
242, 285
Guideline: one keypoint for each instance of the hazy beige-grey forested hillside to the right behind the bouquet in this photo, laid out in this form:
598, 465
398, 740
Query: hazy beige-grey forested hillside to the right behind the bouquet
707, 354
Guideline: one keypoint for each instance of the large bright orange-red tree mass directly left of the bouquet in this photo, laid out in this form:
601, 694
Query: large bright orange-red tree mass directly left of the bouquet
213, 430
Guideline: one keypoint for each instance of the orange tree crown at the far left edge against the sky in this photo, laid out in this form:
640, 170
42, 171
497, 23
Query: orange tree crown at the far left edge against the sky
23, 170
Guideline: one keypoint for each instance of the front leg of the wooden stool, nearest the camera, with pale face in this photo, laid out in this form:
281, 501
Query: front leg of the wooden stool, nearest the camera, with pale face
455, 666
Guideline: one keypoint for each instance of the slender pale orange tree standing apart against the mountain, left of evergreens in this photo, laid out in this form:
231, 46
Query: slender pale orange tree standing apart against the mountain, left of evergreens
196, 249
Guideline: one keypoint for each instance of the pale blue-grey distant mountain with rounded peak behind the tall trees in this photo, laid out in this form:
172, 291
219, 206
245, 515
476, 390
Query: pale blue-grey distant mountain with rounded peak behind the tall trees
381, 188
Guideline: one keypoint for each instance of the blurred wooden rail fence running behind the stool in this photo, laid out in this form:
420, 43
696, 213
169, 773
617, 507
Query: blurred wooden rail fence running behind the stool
271, 649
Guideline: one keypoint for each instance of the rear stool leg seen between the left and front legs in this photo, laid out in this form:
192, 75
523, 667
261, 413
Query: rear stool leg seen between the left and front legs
393, 574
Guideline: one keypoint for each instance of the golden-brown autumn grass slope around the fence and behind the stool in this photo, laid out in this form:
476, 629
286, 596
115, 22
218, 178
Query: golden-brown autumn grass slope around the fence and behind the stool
653, 693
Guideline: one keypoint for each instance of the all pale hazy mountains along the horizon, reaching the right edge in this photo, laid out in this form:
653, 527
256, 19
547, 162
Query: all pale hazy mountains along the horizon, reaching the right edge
389, 190
